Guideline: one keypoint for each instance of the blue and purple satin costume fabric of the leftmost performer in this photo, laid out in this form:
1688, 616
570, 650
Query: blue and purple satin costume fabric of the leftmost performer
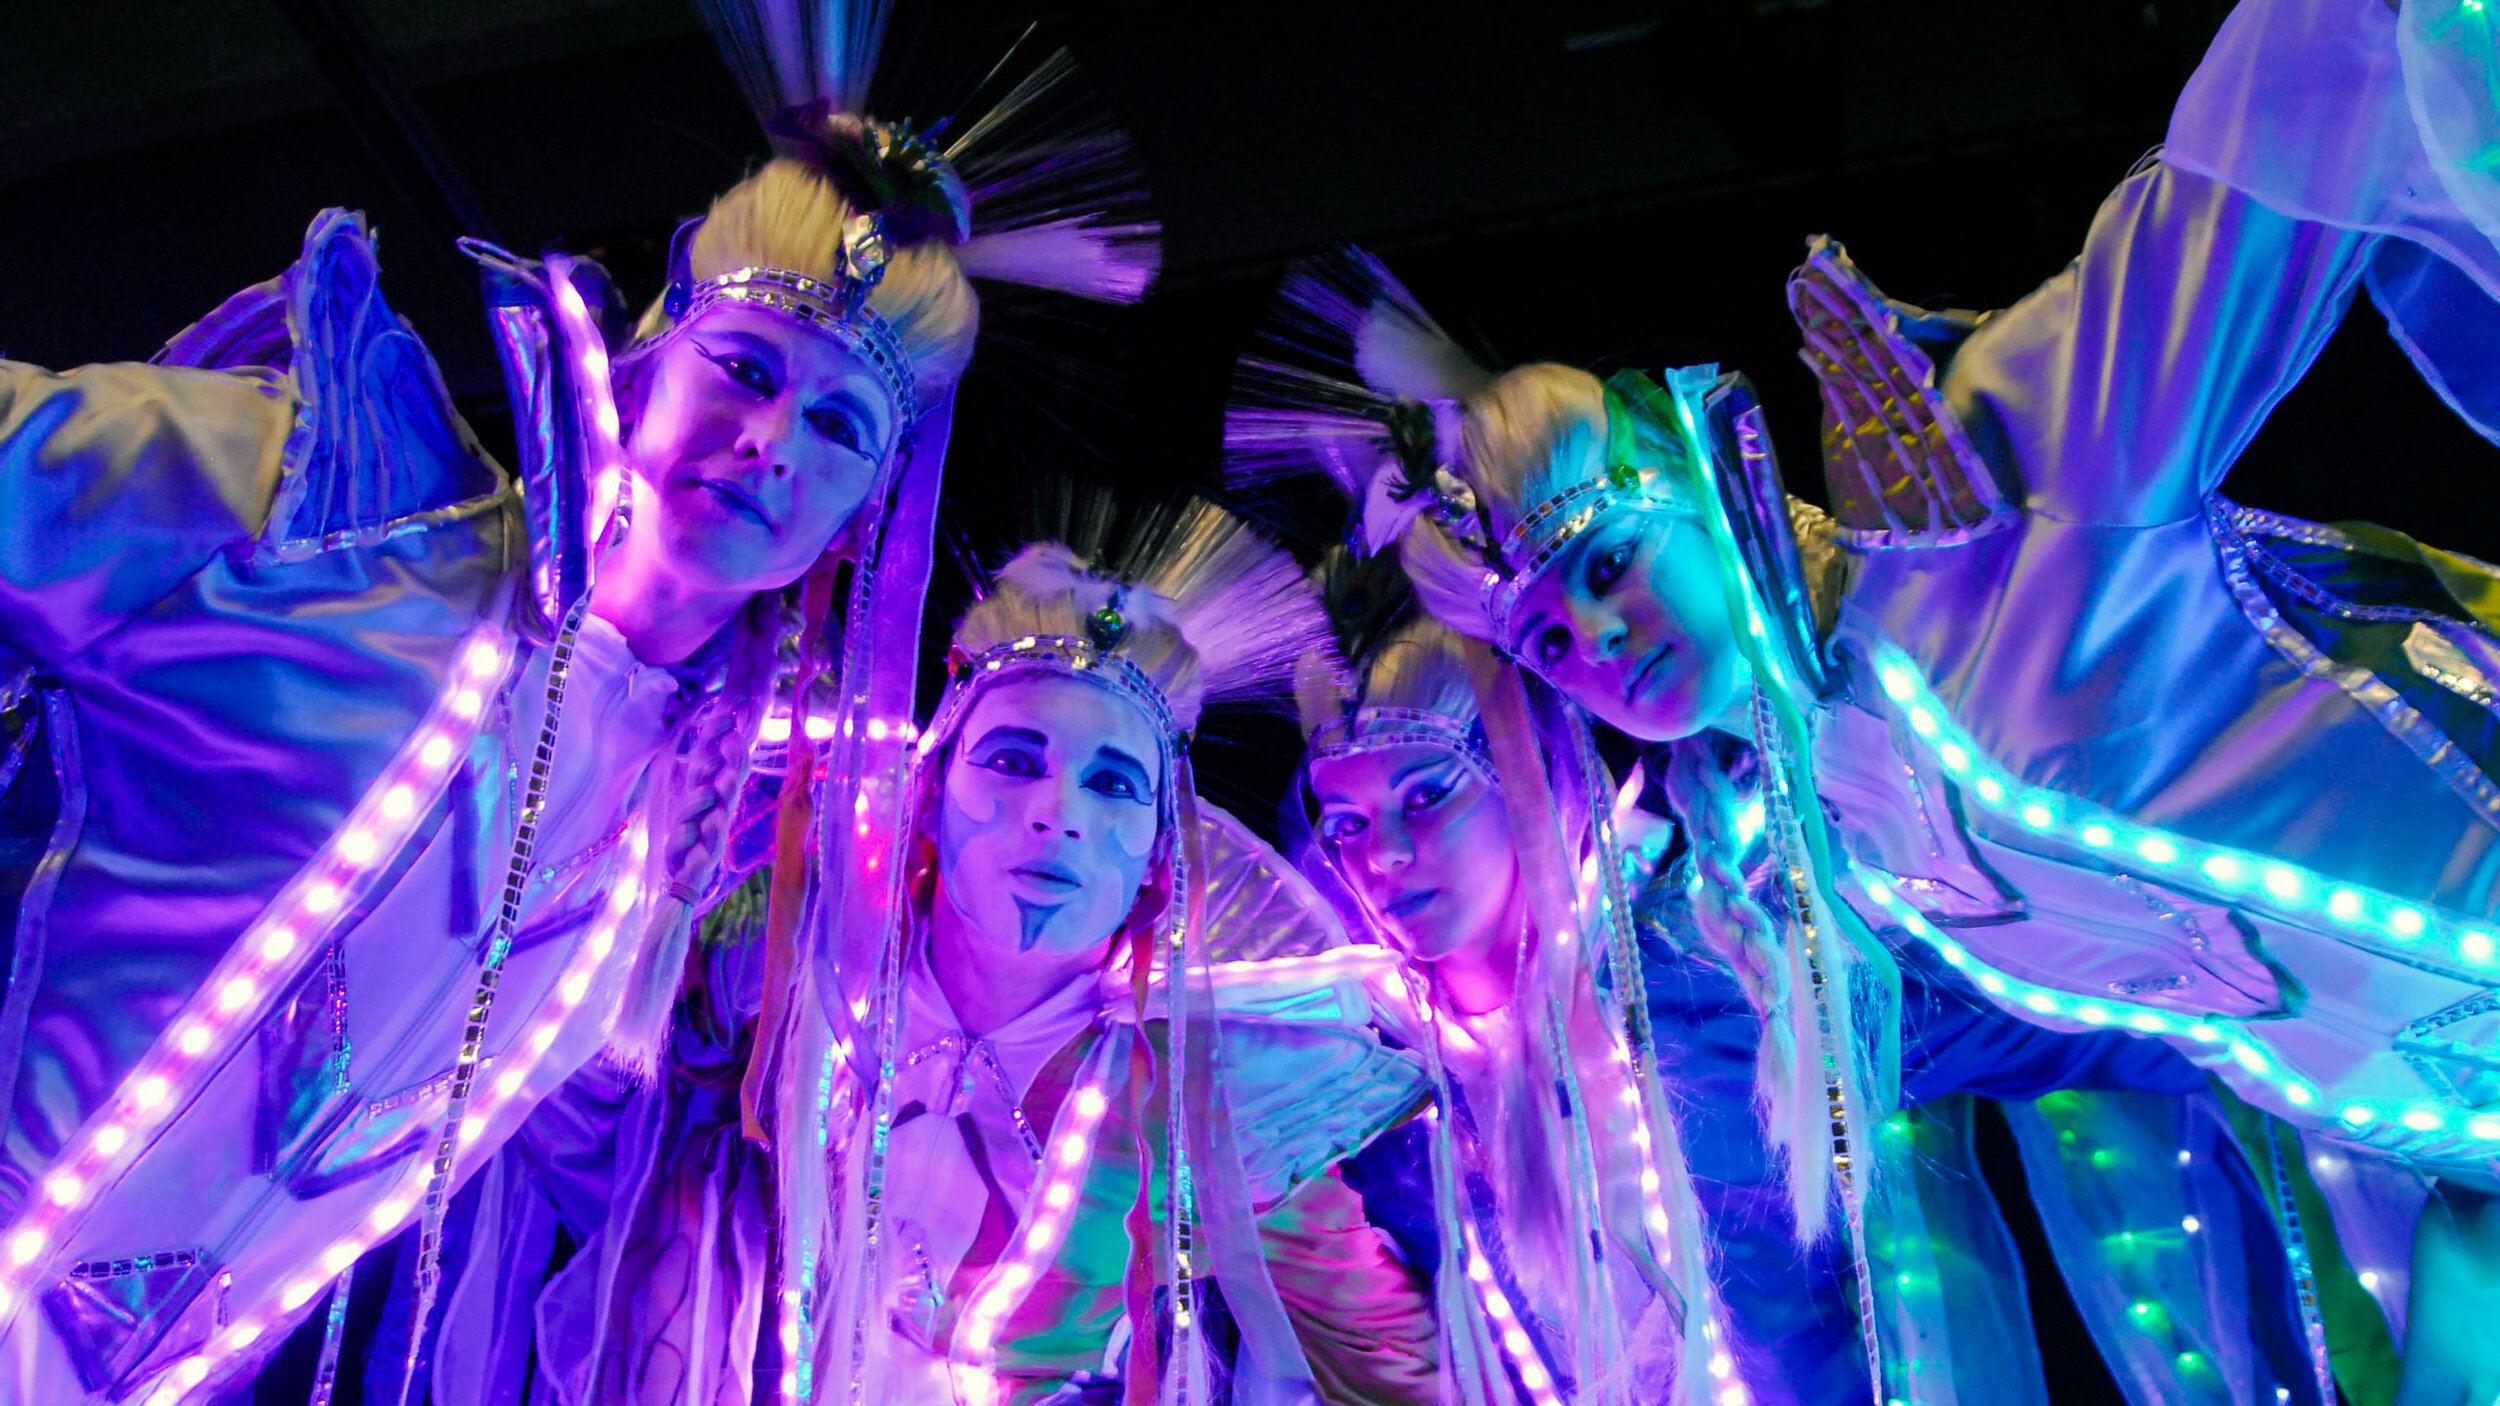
231, 597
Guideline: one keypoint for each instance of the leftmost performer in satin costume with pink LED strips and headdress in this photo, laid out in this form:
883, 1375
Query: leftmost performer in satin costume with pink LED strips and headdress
344, 769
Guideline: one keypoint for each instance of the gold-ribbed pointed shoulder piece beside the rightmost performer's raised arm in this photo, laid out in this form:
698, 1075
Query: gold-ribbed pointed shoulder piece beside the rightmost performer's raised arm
1901, 469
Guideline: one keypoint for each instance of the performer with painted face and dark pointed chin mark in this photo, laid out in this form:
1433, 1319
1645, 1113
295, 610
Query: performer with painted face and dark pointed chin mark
996, 1077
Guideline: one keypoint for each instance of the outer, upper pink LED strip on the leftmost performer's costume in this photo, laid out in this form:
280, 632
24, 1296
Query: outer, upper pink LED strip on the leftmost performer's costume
264, 962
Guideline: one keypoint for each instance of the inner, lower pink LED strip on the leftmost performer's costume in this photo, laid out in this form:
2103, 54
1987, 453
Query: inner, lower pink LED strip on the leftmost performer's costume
504, 1095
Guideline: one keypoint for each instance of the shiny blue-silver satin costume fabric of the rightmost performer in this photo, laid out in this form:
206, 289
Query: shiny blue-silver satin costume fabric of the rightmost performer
2131, 637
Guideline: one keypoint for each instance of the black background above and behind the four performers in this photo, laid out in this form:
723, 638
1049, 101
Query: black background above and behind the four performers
1599, 181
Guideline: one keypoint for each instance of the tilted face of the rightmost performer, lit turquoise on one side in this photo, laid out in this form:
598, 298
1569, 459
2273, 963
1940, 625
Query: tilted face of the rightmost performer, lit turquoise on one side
1631, 624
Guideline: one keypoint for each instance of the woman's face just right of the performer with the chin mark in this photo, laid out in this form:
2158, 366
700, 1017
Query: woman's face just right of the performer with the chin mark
1426, 844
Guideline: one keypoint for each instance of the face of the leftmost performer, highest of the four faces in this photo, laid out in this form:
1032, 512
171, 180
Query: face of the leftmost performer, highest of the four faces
756, 442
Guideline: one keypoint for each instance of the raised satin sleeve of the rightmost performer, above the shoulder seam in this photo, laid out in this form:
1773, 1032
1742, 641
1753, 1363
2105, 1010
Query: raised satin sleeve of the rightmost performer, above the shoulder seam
2296, 166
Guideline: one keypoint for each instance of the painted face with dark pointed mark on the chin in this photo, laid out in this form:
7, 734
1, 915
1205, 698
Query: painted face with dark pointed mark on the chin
1046, 817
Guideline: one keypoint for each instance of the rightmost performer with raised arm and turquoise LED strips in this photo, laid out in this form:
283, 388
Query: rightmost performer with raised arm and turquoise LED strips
2109, 747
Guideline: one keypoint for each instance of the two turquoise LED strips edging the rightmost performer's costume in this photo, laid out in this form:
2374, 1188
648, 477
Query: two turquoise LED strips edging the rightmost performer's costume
2371, 919
